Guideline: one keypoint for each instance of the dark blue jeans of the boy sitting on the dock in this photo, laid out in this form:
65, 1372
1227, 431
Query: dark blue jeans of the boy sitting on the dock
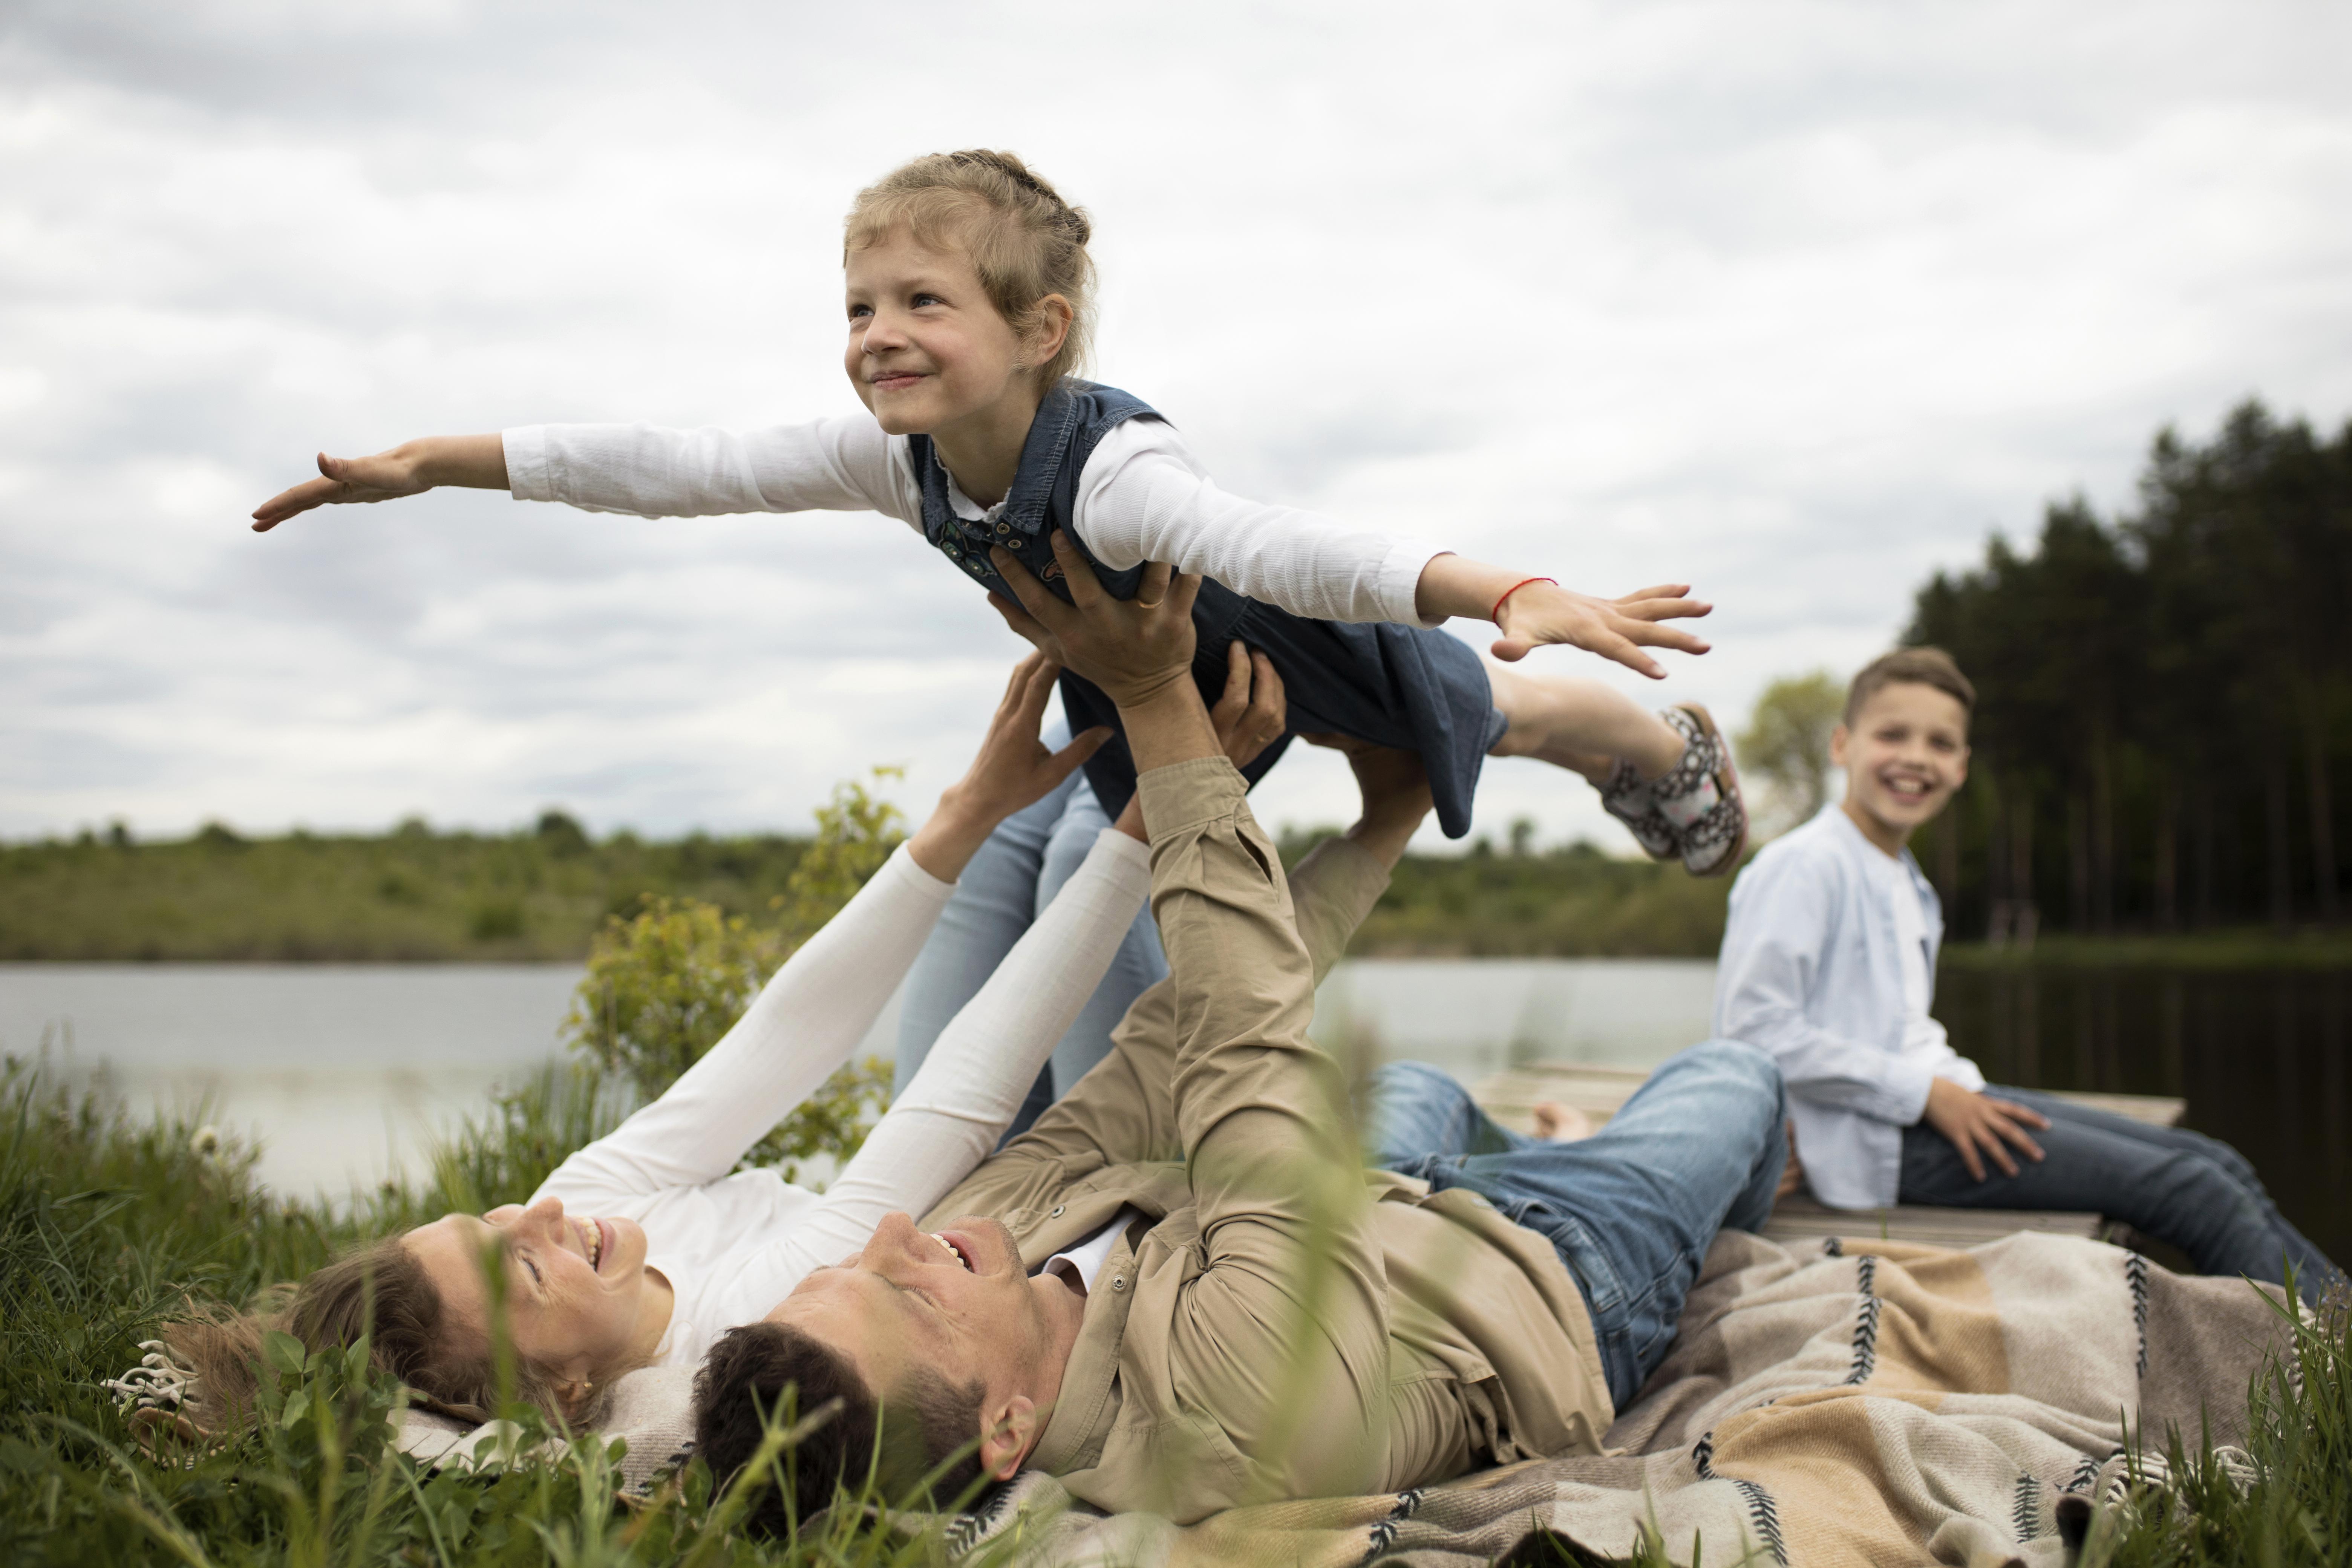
2181, 1188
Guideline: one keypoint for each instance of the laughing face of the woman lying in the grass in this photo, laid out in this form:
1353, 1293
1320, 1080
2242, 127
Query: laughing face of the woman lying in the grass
575, 1287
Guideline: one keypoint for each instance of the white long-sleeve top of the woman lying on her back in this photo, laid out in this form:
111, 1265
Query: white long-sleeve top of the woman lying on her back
737, 1245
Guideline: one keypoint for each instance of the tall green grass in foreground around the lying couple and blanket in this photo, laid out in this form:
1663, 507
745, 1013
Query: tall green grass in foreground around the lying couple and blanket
107, 1224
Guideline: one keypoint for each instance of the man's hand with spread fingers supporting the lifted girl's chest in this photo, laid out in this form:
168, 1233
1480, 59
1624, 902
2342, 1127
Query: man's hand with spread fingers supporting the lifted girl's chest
1128, 648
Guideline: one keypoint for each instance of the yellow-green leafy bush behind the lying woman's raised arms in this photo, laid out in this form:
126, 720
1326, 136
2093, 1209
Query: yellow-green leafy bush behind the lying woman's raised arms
671, 979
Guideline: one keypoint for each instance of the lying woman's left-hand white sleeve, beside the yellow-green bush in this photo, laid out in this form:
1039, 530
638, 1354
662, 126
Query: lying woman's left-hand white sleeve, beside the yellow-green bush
799, 1031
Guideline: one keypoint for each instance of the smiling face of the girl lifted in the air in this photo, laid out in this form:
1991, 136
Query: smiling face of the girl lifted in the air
926, 347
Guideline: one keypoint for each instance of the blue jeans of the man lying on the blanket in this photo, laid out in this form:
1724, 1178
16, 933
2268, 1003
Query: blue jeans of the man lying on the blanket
1631, 1209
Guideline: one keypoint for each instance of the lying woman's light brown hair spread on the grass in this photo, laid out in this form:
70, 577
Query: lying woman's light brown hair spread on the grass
377, 1289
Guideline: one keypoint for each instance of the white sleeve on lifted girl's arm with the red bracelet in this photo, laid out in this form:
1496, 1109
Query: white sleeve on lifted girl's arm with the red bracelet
1147, 500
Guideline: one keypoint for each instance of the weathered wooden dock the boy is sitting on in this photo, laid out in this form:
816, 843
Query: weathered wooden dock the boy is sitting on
1598, 1092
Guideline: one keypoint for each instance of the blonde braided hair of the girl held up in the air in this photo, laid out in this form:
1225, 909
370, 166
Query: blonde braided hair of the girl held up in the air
1024, 241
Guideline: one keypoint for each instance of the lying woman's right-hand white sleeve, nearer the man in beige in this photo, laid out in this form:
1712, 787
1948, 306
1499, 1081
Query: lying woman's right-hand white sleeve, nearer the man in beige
973, 1083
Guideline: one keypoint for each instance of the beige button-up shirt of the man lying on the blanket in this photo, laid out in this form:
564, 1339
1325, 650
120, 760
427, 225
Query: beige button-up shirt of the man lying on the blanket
1281, 1322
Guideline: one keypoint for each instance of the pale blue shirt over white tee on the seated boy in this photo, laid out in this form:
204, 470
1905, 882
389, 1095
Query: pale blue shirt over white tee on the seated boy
1829, 972
